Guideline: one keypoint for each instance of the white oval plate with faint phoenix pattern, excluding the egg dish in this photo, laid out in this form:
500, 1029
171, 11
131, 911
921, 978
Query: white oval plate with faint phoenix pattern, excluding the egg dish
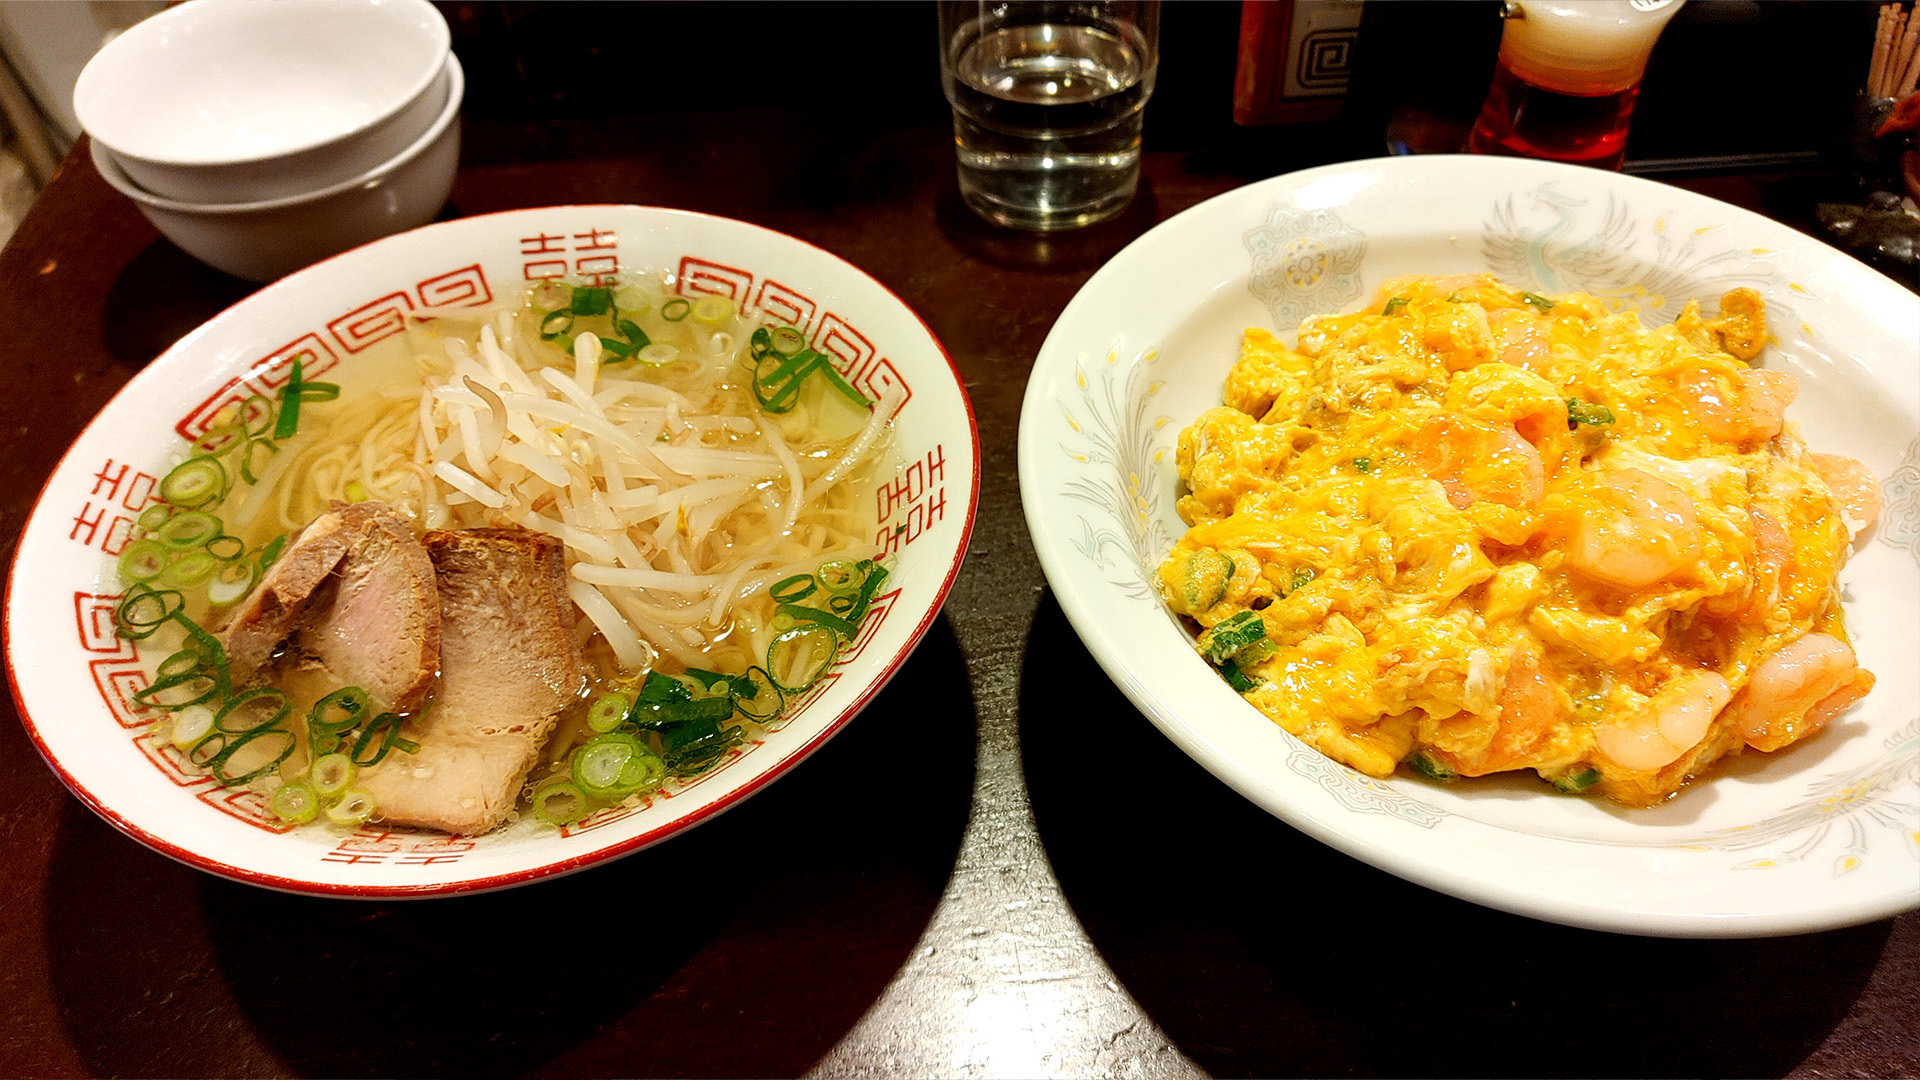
1821, 835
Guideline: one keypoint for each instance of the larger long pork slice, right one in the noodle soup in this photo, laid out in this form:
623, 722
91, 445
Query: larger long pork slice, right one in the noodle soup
508, 668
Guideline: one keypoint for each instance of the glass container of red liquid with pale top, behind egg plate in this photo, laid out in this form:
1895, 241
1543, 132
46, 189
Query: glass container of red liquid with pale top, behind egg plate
1568, 78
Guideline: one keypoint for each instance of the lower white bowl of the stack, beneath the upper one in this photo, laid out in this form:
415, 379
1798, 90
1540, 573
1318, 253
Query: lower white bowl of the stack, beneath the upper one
264, 241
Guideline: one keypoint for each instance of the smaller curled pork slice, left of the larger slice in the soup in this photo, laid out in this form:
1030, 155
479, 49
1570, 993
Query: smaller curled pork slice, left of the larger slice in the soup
354, 593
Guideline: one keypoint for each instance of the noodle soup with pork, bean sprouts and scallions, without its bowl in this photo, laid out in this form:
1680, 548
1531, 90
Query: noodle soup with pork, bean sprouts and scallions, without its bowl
562, 552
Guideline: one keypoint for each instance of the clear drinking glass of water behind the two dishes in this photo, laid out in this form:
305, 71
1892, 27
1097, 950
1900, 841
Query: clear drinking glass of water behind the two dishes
1047, 105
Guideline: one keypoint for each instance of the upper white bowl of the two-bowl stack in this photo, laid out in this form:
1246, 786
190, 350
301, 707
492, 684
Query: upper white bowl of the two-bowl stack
235, 101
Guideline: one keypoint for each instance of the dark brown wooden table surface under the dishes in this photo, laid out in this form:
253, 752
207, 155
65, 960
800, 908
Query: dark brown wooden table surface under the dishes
965, 883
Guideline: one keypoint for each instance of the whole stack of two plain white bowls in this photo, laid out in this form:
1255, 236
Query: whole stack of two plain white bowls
262, 137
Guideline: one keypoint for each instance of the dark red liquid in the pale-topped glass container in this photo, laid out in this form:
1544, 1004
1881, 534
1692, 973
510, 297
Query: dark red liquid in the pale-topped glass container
1533, 122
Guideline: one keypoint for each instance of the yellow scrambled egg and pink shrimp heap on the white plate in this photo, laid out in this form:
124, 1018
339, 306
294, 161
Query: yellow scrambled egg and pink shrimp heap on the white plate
1474, 529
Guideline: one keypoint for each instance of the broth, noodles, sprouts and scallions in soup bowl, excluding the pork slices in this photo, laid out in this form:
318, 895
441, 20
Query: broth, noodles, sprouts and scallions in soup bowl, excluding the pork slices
708, 481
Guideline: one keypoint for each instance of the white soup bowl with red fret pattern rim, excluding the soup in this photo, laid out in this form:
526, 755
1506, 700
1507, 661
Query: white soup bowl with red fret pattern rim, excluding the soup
74, 679
